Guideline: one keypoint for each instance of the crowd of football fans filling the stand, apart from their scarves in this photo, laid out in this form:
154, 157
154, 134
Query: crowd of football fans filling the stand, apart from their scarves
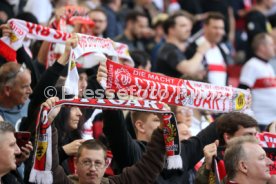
222, 42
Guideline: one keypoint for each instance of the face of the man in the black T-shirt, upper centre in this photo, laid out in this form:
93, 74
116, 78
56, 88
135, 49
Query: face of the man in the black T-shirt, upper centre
182, 29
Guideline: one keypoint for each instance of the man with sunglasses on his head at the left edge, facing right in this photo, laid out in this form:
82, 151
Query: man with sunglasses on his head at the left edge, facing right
15, 89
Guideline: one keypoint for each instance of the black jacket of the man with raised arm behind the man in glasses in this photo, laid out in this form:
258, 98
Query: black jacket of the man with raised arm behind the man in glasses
127, 151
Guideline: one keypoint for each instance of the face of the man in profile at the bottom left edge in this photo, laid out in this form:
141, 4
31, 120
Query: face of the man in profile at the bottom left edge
8, 150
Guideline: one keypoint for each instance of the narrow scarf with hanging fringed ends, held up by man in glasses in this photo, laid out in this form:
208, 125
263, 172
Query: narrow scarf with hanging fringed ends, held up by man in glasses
41, 171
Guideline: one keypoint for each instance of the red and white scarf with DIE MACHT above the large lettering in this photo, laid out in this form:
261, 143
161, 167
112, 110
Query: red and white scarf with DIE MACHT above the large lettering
146, 85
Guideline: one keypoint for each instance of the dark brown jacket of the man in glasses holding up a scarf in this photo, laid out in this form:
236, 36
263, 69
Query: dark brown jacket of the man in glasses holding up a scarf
145, 171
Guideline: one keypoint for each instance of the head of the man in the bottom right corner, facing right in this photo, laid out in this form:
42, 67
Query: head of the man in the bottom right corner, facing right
246, 161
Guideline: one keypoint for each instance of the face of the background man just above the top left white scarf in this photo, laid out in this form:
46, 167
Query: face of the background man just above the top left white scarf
99, 18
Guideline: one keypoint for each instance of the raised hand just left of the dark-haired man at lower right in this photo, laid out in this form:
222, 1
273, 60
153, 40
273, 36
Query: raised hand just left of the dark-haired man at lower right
209, 152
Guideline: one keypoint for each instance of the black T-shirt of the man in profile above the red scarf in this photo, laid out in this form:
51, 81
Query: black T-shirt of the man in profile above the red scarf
168, 58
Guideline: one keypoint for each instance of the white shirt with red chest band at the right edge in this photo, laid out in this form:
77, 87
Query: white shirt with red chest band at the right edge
260, 77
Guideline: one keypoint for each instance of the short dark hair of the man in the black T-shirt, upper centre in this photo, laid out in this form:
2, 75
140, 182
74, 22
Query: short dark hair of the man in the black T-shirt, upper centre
170, 22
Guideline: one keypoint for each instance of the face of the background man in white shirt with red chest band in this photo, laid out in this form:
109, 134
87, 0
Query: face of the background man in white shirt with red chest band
214, 31
